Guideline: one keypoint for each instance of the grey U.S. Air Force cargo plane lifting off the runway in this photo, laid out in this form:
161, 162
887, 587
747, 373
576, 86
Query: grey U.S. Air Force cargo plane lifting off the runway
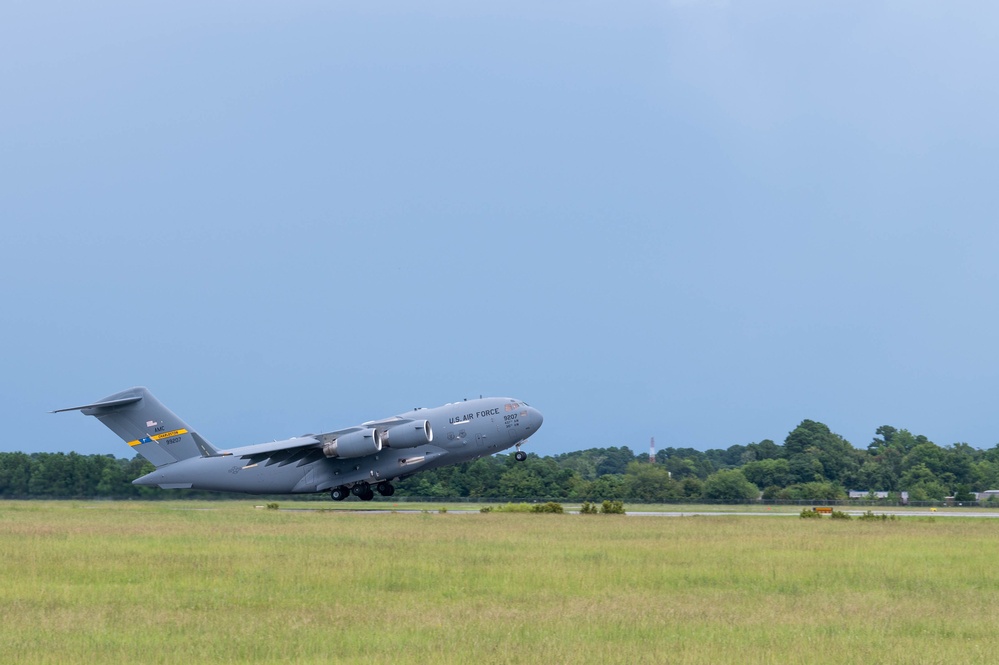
342, 462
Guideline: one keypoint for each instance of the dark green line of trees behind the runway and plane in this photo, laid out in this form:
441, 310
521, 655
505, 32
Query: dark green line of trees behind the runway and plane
813, 463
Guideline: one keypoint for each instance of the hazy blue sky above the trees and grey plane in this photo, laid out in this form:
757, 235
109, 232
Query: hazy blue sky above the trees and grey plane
699, 221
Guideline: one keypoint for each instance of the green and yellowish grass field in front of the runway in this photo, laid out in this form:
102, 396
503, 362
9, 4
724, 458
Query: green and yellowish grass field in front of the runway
224, 582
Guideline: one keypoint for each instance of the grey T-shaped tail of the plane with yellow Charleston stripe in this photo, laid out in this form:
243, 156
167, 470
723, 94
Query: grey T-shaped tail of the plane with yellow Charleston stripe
152, 430
